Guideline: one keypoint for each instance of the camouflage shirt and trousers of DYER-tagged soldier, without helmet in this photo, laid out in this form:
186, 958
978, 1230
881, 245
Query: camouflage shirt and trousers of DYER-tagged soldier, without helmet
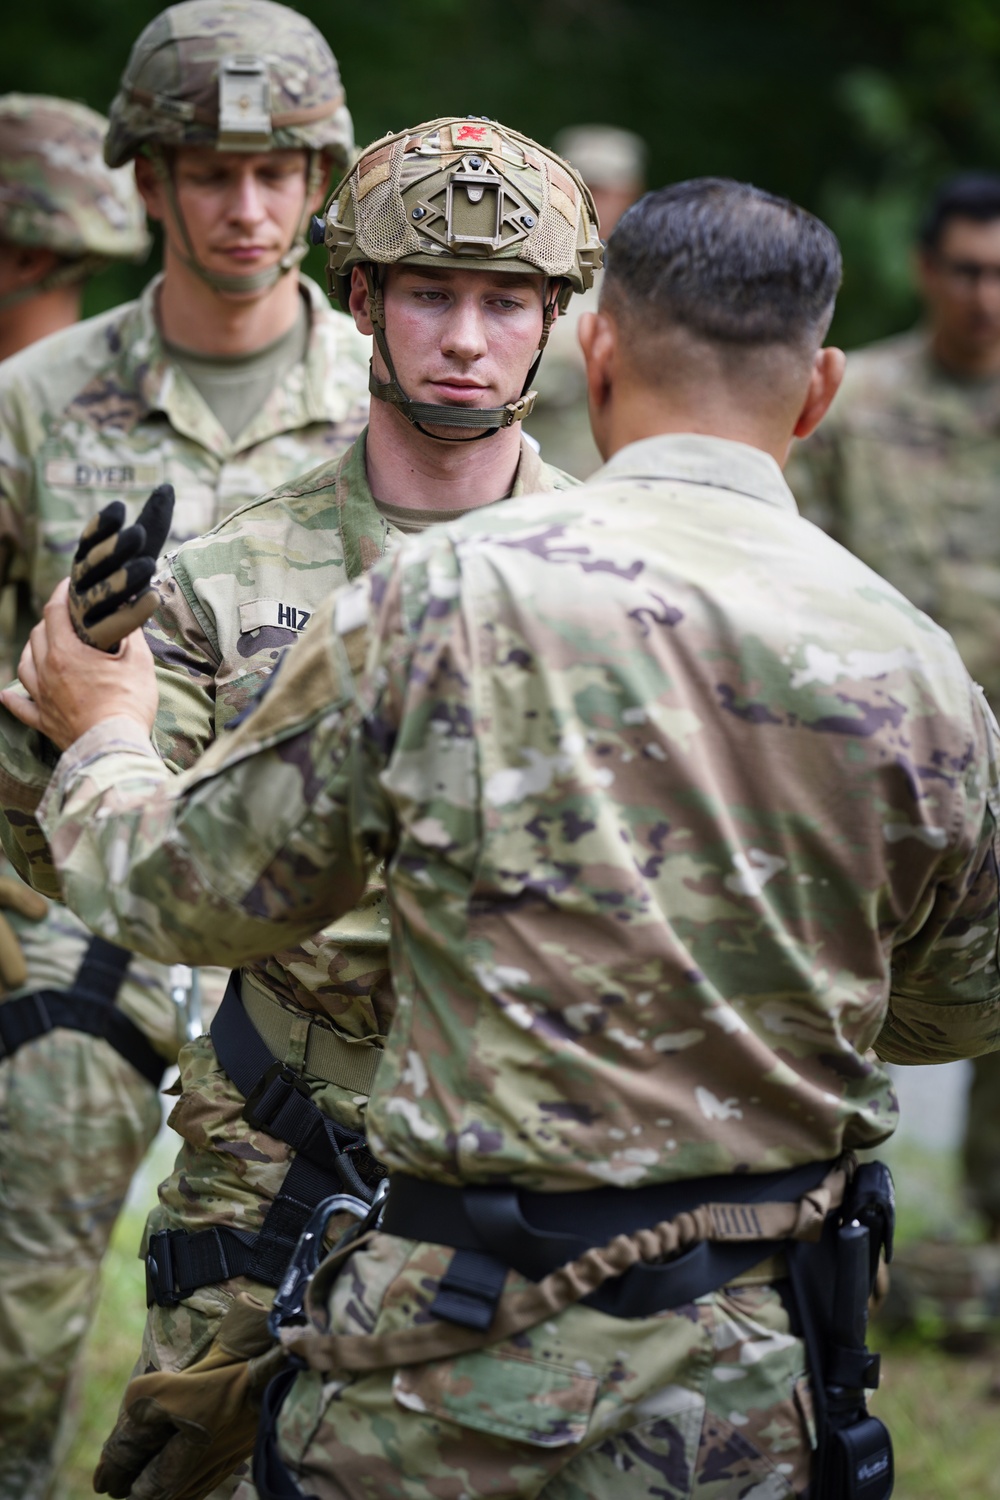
97, 415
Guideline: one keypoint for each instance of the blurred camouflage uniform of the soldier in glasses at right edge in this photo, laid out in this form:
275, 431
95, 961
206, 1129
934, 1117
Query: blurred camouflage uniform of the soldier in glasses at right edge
906, 473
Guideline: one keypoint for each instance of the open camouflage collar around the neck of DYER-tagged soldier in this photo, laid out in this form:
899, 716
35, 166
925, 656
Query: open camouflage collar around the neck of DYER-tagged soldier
307, 397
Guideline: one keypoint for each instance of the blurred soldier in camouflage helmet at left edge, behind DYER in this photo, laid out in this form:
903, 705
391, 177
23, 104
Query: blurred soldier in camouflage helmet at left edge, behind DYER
64, 215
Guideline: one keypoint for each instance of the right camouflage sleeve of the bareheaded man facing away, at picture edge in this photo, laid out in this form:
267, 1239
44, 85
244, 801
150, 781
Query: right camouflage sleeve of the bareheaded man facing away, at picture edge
945, 1000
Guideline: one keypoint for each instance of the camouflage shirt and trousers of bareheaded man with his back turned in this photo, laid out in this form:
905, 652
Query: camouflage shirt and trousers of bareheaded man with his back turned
665, 863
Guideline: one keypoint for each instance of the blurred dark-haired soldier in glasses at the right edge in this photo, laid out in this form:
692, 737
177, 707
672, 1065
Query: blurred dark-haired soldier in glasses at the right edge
906, 473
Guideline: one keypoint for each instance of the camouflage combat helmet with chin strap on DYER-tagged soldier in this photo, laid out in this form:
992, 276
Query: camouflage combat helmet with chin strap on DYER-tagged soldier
238, 76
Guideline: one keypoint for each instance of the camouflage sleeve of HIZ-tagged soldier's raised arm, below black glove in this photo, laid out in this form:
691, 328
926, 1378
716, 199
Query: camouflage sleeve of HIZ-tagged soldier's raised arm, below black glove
187, 667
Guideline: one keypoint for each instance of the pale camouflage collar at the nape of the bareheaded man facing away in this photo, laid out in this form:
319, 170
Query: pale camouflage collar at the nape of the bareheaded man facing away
698, 460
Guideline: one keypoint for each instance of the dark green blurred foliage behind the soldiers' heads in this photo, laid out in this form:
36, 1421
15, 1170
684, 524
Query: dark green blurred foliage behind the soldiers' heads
857, 110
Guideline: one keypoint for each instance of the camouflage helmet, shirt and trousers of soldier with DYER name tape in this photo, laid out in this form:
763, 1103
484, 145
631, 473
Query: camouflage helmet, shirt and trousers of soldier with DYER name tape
94, 415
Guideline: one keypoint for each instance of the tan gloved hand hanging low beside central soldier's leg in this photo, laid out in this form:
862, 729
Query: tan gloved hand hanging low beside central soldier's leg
185, 1432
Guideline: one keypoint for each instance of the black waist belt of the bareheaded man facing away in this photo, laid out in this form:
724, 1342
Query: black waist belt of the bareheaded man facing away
499, 1229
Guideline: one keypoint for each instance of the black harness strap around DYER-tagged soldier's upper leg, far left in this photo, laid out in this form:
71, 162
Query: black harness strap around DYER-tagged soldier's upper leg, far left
88, 1006
